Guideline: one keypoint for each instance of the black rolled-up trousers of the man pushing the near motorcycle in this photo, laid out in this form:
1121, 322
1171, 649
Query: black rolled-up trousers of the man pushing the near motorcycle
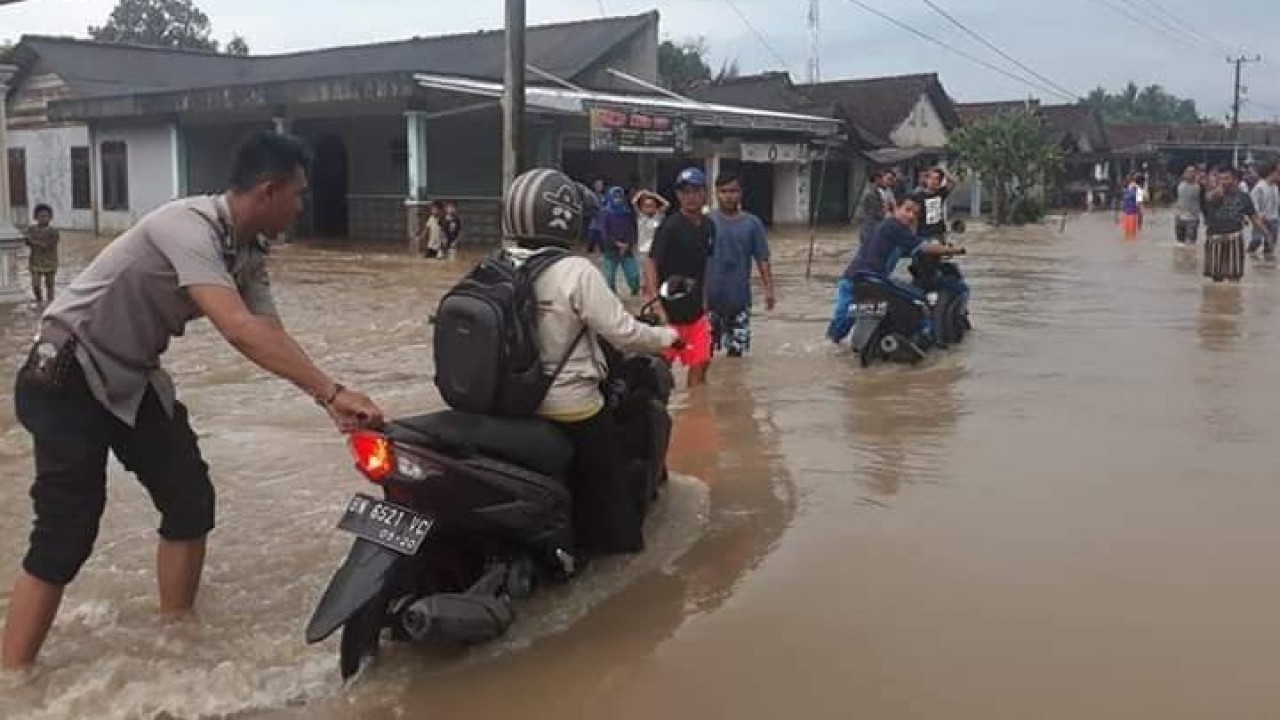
74, 434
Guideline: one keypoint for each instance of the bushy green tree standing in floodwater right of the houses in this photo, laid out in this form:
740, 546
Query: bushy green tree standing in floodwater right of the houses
1013, 156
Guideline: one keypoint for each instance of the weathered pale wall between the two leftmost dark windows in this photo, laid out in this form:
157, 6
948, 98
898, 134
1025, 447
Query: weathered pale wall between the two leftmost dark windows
49, 172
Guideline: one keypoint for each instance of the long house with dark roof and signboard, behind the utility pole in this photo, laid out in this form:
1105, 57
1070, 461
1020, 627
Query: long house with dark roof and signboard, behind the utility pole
107, 133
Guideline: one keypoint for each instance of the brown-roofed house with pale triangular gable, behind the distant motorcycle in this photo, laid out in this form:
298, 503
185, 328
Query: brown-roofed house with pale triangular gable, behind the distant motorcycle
900, 121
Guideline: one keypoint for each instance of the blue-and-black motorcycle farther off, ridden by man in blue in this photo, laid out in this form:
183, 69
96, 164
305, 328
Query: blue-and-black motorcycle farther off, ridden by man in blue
902, 323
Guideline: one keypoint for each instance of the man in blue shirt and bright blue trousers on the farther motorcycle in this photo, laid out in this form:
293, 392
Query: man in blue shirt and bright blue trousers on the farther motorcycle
879, 257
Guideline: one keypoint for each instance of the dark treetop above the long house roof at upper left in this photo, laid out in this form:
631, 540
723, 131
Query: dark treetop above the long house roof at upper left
164, 24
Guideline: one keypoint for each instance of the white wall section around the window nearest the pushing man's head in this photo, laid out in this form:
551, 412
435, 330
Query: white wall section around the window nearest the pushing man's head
153, 172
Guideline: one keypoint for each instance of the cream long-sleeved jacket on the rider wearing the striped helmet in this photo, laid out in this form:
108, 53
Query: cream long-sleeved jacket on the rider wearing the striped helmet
572, 294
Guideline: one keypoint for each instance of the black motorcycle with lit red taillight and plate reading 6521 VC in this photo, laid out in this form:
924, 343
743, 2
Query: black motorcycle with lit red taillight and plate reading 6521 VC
476, 514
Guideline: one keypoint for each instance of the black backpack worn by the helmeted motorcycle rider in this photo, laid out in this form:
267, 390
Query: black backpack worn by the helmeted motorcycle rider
487, 358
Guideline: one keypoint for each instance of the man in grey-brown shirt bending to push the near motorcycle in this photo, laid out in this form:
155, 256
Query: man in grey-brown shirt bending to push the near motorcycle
94, 384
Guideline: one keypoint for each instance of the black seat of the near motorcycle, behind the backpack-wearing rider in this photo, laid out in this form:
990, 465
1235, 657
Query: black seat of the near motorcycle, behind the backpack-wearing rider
531, 443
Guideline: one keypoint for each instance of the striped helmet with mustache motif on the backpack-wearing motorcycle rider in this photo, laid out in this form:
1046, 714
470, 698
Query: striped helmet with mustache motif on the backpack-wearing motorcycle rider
545, 207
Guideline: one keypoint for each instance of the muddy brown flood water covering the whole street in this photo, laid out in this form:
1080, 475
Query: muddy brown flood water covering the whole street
1073, 516
